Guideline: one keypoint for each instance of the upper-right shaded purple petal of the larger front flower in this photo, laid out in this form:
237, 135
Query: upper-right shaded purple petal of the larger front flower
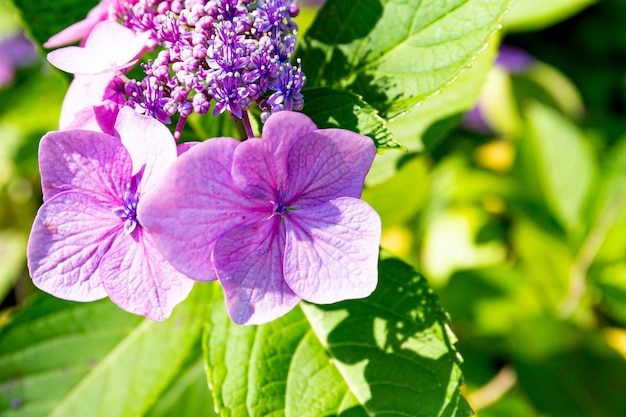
328, 164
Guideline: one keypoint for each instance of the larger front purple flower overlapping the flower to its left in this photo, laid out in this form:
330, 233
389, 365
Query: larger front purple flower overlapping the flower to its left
275, 219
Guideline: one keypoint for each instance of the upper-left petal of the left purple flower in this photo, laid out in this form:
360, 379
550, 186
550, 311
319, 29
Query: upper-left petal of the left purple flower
84, 160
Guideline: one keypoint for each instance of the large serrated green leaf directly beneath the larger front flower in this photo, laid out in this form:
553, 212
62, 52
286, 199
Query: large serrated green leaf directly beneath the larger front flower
390, 354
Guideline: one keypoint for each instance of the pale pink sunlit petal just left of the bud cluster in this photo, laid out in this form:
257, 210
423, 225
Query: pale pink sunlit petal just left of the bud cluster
109, 47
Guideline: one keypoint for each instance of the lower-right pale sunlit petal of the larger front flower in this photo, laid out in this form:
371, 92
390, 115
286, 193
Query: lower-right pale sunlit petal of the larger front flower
331, 252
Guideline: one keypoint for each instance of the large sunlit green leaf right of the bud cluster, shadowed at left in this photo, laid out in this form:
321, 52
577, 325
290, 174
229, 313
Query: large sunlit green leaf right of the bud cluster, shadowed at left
396, 54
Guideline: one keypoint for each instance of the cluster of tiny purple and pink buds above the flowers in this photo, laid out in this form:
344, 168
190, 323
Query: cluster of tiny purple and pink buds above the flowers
232, 52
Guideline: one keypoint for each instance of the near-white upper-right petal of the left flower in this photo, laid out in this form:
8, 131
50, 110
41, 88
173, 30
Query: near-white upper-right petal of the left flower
150, 144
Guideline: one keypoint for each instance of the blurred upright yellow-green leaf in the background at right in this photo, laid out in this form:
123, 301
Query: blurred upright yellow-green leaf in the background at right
565, 164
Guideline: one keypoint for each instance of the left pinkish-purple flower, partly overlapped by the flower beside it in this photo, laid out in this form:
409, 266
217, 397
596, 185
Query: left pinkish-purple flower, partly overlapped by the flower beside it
86, 242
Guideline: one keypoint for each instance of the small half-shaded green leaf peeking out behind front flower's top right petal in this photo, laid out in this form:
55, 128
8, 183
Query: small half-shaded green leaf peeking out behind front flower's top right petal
337, 108
